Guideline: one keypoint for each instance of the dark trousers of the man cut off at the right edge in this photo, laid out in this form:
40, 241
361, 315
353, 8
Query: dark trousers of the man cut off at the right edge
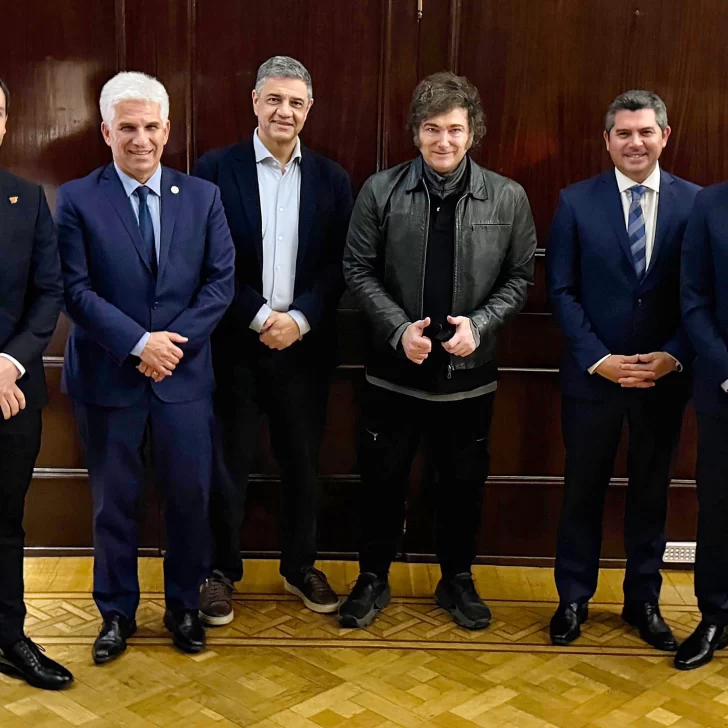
711, 560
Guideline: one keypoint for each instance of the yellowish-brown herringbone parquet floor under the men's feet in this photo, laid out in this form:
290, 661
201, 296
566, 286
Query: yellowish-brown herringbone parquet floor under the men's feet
278, 665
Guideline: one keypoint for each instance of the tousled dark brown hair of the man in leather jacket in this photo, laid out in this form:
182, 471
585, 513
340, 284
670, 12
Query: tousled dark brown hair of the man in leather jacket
442, 92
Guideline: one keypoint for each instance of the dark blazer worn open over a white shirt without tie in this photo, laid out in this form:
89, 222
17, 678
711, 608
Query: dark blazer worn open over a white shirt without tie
324, 211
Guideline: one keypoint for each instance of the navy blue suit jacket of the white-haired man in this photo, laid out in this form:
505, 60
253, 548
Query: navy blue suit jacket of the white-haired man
112, 297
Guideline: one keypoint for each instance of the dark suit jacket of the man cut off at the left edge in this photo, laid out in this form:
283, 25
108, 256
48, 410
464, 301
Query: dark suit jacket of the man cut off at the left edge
31, 287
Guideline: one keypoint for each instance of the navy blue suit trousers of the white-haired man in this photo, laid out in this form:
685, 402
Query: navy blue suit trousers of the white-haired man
180, 442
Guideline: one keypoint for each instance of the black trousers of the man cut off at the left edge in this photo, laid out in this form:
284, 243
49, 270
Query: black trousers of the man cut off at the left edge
19, 446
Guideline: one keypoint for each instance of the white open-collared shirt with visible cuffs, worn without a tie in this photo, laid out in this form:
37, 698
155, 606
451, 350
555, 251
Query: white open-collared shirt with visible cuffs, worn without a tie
280, 194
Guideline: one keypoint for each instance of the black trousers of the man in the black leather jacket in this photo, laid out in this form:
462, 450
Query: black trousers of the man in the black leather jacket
456, 433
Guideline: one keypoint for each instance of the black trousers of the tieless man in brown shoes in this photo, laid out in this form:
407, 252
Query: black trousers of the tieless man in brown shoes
292, 389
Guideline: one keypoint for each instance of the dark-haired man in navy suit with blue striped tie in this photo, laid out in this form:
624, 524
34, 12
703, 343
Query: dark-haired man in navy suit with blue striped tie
613, 272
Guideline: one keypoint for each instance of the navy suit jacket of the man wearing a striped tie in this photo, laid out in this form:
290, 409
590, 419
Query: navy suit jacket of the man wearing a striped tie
599, 303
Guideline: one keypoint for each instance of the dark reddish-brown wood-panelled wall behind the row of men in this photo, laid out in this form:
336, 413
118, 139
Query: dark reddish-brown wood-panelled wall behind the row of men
545, 78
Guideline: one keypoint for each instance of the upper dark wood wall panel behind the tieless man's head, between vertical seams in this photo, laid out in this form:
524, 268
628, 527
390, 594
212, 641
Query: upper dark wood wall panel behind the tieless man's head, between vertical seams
339, 43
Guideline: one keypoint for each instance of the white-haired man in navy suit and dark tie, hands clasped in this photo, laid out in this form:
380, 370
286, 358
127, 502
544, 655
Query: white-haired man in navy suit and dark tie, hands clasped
148, 267
